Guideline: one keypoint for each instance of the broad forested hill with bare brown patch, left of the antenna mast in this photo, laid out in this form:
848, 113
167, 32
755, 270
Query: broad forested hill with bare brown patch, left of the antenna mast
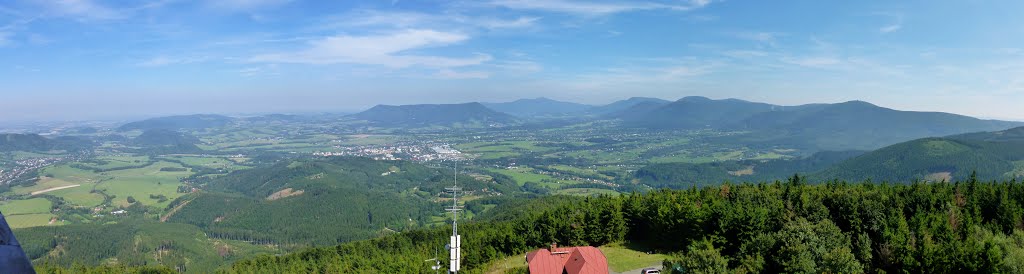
322, 201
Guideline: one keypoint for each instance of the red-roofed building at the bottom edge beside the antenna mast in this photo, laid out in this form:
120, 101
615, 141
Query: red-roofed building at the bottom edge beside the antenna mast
576, 260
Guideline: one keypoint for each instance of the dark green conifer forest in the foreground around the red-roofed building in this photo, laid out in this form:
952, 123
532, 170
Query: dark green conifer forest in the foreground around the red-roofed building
792, 227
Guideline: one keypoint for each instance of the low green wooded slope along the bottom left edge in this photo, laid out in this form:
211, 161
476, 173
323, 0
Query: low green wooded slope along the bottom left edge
131, 243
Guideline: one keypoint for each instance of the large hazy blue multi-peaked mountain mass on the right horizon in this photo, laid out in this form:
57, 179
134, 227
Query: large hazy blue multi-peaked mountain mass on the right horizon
847, 126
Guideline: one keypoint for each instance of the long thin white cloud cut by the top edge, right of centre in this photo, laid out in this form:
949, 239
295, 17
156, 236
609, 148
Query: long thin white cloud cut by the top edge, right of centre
591, 9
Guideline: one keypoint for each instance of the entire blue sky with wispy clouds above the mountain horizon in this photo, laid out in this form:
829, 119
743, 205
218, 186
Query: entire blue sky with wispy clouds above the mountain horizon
107, 60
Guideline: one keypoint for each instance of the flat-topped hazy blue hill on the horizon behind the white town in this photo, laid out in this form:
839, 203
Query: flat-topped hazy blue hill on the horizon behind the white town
465, 115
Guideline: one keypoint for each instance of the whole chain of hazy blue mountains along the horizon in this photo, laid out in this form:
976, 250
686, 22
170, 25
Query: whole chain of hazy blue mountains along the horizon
846, 126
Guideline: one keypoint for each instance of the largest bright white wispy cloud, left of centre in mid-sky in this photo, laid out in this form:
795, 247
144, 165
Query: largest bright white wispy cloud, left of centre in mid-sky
386, 50
